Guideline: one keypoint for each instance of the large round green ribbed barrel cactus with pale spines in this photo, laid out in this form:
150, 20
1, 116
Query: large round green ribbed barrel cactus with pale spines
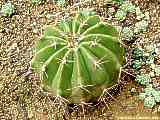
78, 58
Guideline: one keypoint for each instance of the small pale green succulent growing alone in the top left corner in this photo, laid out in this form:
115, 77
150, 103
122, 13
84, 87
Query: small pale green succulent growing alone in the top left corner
7, 9
